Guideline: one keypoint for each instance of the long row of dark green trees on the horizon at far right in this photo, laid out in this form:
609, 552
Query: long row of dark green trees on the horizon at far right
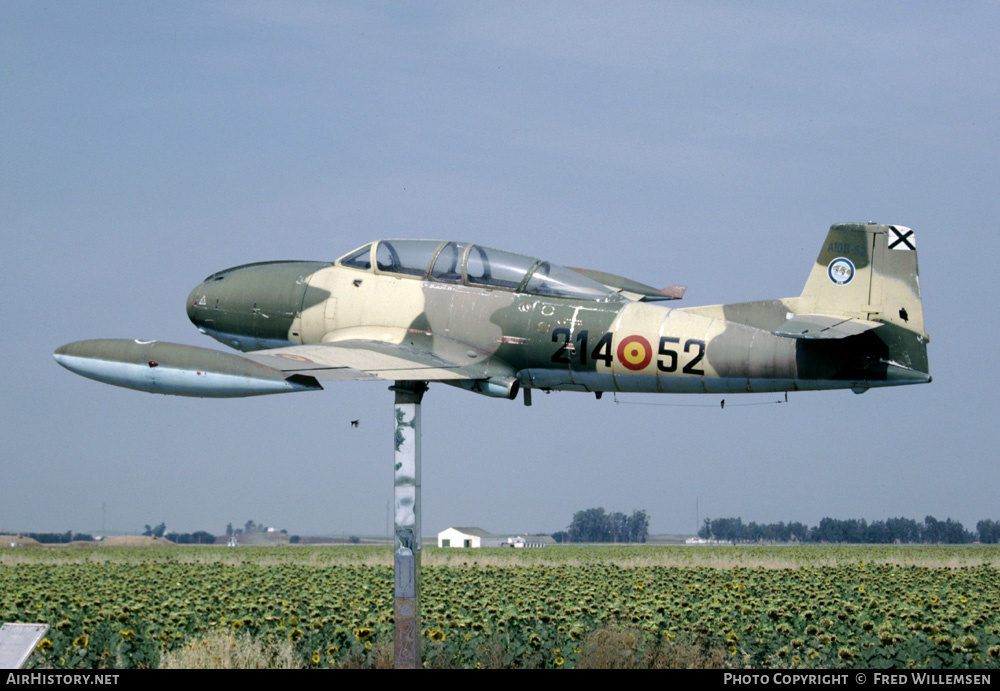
852, 530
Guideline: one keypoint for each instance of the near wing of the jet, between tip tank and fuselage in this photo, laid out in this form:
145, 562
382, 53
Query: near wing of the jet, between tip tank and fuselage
371, 358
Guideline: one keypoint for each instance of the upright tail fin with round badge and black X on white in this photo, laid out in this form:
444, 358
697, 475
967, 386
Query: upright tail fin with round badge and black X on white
867, 272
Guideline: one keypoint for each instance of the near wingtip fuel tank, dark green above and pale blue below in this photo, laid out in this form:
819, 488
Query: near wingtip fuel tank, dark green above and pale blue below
172, 368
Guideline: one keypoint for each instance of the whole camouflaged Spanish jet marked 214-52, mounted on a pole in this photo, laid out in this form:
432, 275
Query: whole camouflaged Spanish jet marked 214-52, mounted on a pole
494, 322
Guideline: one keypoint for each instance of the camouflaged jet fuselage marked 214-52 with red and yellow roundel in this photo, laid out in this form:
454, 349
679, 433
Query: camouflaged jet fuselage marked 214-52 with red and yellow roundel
598, 342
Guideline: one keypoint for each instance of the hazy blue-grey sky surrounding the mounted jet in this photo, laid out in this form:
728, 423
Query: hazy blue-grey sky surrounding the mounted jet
145, 146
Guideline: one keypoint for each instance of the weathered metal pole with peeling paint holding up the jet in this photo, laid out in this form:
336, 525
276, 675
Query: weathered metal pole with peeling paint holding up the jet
406, 494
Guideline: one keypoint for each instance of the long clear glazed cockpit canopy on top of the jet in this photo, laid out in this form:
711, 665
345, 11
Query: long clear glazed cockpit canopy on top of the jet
474, 265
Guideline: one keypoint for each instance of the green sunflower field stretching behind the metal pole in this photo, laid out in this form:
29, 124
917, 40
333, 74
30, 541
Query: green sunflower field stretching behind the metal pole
743, 606
